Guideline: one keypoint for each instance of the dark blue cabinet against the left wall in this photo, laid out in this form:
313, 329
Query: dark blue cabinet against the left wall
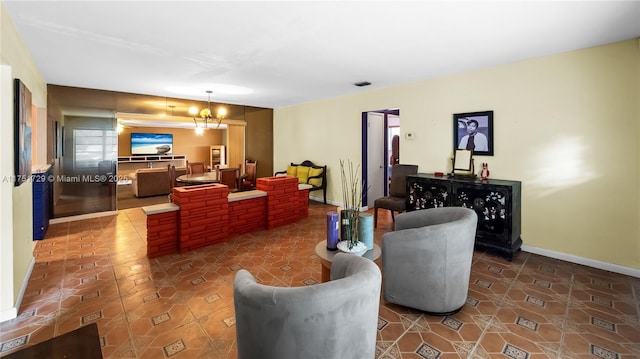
42, 201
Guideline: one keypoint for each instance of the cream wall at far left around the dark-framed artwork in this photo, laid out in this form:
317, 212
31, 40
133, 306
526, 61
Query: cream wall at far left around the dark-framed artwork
16, 239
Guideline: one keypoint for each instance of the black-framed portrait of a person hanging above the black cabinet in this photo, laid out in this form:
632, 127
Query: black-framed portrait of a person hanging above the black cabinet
474, 131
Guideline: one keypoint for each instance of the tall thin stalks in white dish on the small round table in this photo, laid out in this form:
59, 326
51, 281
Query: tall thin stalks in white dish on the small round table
352, 200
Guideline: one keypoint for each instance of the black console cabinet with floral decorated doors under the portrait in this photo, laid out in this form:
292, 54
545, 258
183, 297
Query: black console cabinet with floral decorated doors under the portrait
497, 203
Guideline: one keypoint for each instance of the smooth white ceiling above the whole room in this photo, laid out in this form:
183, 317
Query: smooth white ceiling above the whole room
274, 54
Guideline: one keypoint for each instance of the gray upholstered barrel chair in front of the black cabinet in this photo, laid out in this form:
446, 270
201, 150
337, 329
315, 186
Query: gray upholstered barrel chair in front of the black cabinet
426, 261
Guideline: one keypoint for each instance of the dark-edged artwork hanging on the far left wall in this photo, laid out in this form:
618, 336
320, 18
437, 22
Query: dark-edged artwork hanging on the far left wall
22, 132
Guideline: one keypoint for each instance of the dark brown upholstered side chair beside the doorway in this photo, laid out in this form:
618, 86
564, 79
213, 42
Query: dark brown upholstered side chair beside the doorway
397, 198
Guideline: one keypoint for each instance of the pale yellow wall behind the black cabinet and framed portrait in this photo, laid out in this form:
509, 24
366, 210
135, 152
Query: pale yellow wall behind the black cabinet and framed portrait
567, 126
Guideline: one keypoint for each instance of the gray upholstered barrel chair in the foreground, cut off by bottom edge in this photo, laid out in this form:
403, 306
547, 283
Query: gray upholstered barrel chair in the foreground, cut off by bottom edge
336, 319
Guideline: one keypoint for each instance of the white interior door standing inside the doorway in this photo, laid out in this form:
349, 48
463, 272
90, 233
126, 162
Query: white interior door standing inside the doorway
375, 157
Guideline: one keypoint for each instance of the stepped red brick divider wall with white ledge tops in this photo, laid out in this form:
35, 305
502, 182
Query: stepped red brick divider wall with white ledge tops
203, 215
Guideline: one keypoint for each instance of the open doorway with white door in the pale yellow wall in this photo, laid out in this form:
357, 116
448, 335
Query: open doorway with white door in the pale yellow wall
378, 129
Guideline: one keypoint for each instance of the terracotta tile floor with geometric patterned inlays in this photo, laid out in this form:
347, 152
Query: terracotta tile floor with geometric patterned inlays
181, 306
